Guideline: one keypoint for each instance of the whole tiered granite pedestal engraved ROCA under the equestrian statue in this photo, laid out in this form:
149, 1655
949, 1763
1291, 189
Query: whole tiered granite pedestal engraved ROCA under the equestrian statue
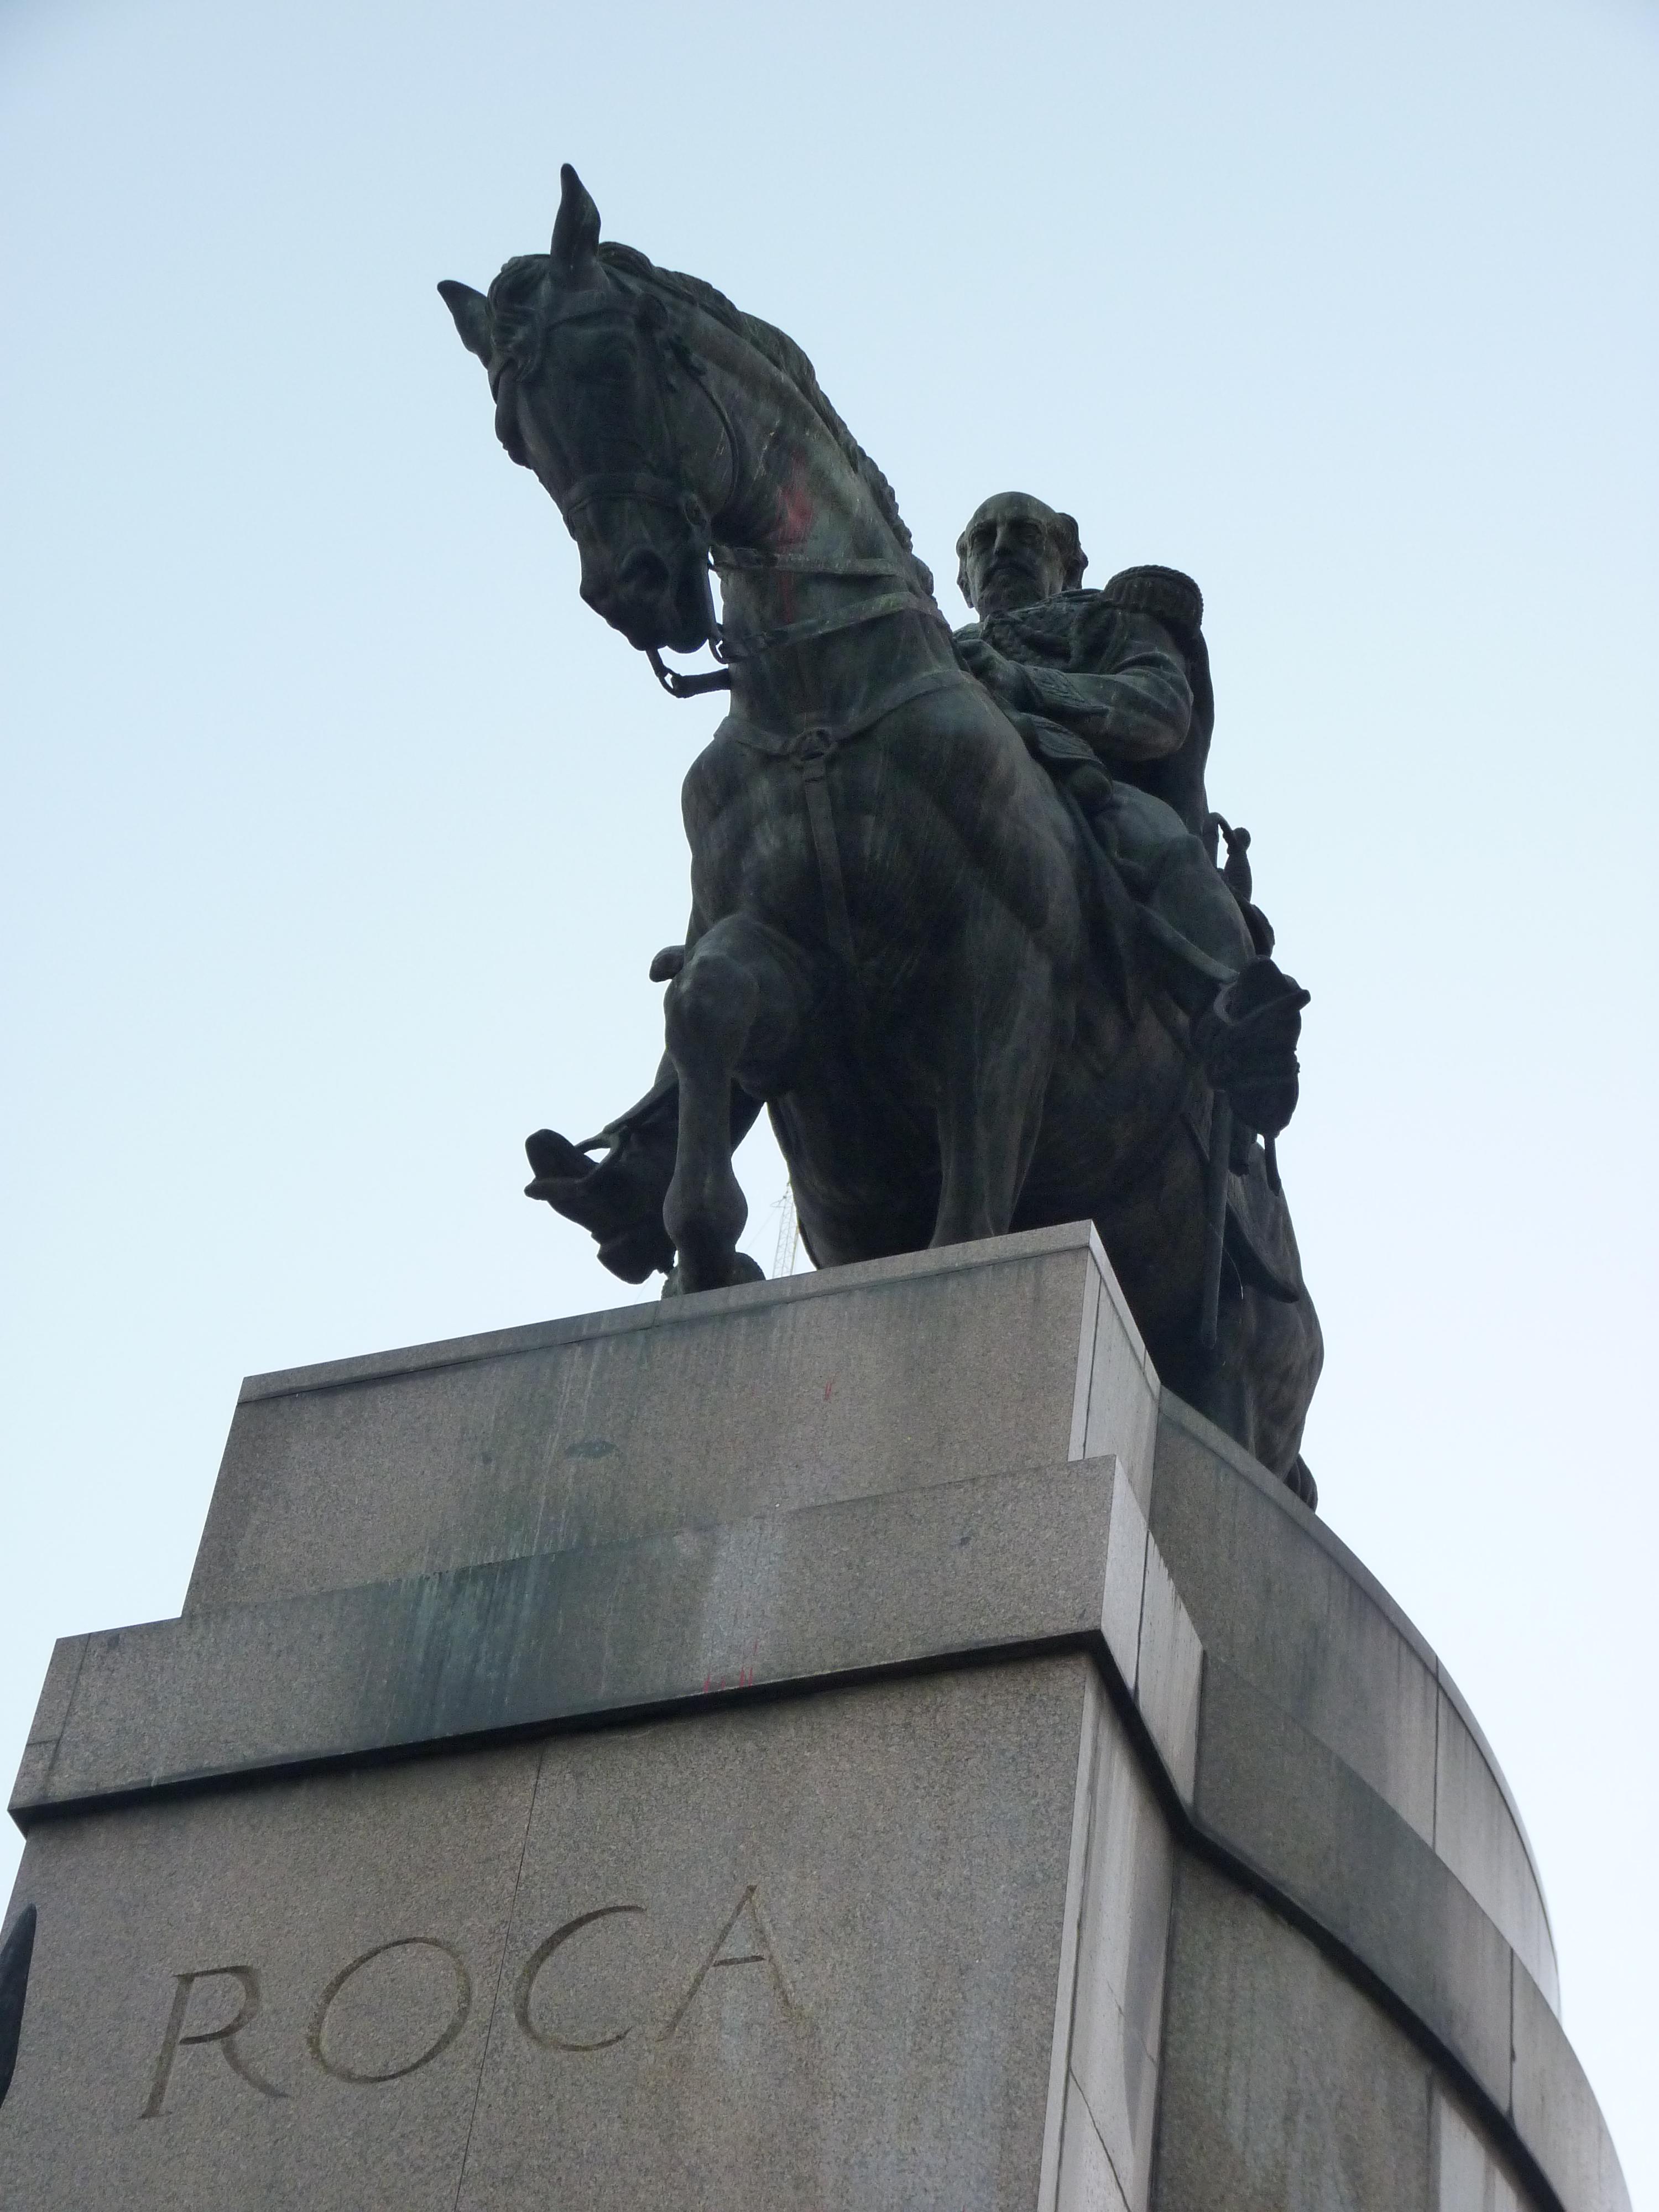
839, 1744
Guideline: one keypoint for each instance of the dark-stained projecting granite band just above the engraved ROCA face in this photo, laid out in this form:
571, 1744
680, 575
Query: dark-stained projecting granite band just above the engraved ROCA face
864, 1585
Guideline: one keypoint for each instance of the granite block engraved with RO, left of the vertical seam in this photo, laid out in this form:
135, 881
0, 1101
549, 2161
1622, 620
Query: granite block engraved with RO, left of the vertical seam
176, 2049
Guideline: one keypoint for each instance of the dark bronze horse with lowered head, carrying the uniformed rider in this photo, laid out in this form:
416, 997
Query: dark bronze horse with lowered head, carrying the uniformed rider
895, 937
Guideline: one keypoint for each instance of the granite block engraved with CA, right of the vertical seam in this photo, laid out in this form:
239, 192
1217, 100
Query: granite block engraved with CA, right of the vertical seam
828, 1968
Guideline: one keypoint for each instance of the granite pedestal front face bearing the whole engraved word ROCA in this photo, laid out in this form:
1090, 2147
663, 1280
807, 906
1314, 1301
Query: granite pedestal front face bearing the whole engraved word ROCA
780, 1954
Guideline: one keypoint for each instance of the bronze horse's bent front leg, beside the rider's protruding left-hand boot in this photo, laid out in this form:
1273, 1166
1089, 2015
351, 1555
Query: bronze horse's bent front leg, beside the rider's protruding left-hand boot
733, 1012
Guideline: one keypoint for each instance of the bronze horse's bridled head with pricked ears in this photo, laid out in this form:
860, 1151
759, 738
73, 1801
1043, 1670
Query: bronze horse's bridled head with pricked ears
589, 382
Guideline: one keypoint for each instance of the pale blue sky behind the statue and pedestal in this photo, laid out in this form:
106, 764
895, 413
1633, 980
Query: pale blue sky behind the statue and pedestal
340, 833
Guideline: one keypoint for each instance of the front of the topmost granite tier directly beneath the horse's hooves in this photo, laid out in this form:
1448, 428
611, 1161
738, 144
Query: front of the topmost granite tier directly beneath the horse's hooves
676, 1417
